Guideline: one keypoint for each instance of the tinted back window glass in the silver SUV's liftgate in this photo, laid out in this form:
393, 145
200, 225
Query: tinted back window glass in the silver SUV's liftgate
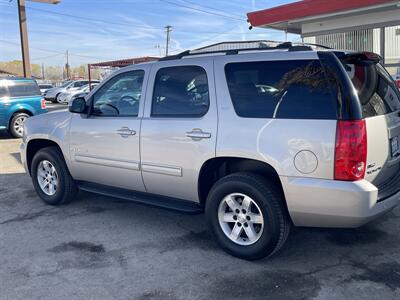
375, 88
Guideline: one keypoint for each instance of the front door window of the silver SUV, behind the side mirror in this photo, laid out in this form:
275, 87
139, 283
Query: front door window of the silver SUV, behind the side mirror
119, 96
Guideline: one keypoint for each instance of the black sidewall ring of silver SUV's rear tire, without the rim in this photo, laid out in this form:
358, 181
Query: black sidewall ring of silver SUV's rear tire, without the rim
270, 235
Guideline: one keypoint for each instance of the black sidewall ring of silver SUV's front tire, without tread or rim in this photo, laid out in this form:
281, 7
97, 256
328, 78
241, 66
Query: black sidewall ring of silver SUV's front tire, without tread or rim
58, 197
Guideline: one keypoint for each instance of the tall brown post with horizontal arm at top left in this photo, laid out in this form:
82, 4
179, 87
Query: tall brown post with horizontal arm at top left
26, 64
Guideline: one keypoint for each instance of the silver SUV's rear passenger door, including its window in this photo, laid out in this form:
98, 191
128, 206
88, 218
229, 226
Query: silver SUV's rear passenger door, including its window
179, 128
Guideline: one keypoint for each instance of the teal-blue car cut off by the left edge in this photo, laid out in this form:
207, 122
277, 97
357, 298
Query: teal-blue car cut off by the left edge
20, 98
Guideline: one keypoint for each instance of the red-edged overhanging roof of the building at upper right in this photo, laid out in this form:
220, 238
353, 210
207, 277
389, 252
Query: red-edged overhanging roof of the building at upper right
290, 17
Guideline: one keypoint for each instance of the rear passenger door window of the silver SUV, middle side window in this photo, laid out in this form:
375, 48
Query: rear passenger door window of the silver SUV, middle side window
180, 92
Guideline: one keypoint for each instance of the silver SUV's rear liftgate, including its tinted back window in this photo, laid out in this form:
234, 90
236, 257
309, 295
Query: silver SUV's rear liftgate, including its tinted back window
380, 102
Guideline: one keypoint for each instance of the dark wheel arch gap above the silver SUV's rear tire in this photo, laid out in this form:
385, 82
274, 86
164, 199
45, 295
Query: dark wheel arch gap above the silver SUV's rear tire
215, 168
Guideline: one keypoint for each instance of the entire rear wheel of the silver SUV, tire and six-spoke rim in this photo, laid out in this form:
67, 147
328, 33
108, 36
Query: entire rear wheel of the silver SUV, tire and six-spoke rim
247, 216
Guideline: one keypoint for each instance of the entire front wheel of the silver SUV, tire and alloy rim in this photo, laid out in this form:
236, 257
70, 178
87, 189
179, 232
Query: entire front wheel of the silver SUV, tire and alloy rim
51, 178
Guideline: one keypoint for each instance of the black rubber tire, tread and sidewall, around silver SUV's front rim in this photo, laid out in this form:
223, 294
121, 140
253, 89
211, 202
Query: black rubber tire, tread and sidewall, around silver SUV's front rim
67, 189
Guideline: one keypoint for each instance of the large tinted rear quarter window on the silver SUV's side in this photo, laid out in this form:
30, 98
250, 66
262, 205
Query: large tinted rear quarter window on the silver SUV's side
280, 89
